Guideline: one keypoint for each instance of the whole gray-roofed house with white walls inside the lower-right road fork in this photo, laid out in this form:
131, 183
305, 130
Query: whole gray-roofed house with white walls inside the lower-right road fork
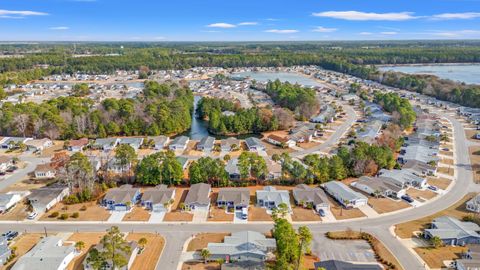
453, 231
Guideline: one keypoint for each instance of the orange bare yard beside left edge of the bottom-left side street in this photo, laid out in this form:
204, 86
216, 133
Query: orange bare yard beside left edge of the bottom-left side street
153, 249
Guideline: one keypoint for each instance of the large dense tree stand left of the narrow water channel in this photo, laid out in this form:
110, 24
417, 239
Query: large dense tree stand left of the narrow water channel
160, 109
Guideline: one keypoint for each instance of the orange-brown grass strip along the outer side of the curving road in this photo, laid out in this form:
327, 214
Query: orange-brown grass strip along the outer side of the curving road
406, 230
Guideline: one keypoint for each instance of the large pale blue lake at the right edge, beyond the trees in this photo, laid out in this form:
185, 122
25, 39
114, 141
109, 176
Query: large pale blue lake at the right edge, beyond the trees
467, 73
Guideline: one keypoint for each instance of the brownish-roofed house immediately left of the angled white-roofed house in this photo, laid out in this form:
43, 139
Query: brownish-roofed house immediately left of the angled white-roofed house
316, 197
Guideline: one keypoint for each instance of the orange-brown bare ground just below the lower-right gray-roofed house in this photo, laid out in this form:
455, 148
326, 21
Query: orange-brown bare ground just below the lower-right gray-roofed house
434, 257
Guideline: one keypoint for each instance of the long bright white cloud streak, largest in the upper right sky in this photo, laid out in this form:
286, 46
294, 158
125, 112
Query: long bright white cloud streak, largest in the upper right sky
366, 16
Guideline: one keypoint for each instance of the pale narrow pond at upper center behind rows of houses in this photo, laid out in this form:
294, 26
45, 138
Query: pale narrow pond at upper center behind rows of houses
282, 76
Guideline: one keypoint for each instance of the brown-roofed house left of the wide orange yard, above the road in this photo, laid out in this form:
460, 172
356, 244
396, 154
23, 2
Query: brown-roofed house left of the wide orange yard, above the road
43, 199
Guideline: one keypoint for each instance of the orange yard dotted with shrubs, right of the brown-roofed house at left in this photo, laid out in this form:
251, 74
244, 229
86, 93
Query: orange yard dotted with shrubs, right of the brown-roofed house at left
89, 211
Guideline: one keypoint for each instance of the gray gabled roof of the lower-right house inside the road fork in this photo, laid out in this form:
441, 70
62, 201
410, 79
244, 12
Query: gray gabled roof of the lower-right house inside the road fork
451, 228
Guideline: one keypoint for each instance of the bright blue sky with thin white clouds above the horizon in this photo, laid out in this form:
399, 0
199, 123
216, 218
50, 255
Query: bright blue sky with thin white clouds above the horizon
237, 20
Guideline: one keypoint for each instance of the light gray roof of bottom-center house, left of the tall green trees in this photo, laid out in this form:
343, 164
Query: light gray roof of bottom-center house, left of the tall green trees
243, 242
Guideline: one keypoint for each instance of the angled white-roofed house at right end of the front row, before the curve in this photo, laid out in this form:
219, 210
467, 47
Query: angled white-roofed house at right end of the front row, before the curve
344, 195
